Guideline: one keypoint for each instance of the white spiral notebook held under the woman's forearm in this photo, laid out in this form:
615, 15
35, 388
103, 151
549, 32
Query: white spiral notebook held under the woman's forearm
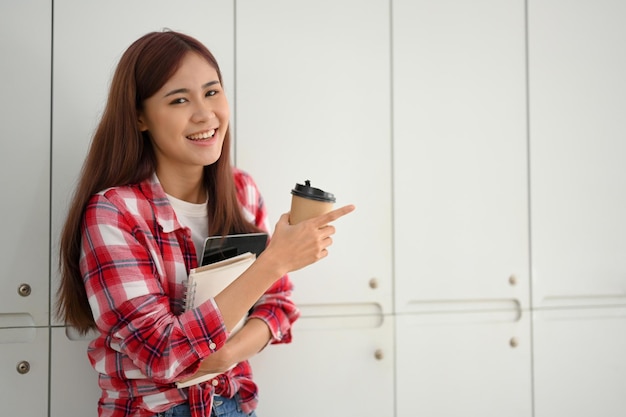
205, 282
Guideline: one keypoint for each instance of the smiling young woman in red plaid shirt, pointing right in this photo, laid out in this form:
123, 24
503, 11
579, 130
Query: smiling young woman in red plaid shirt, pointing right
157, 181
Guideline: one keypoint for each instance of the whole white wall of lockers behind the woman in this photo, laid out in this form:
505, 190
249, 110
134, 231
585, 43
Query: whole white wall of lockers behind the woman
484, 144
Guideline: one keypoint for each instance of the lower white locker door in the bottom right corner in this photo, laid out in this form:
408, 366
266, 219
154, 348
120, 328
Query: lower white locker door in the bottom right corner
579, 362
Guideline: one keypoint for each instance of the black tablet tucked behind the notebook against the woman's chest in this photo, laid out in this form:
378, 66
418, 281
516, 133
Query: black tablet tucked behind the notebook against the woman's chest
217, 248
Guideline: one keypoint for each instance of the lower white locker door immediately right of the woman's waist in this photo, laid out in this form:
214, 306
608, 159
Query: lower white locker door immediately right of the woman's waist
334, 366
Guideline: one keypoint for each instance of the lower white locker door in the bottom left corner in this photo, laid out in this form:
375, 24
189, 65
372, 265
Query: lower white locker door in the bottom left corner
24, 371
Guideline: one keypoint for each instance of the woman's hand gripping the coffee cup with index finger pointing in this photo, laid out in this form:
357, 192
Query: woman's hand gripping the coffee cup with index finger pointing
293, 247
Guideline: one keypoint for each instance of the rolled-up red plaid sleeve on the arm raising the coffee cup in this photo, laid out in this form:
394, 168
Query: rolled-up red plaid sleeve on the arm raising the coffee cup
124, 269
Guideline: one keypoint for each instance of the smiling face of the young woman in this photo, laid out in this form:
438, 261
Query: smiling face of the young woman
187, 118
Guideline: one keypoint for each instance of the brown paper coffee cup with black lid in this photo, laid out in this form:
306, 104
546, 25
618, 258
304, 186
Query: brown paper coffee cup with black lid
308, 202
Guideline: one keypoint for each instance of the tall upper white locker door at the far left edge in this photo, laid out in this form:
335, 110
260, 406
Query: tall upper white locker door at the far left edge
25, 29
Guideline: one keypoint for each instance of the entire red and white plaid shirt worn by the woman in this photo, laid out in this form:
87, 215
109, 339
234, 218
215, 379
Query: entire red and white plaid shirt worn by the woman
135, 259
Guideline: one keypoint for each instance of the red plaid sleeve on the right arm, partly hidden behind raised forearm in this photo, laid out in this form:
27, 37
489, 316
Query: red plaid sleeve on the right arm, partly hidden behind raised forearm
275, 307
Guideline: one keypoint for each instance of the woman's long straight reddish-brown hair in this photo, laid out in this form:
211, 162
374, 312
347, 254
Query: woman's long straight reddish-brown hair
121, 154
